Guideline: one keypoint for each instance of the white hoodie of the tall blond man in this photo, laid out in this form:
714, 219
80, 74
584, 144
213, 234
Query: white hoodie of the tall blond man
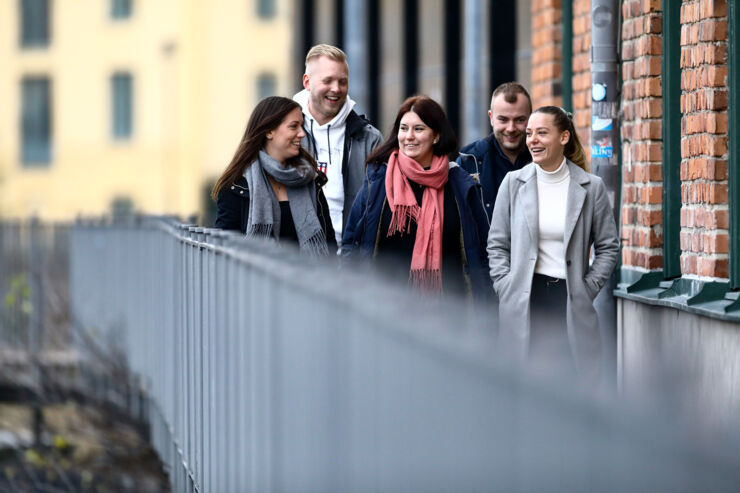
328, 140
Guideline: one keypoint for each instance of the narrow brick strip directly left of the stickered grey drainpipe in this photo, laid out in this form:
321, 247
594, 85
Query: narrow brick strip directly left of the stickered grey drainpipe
582, 72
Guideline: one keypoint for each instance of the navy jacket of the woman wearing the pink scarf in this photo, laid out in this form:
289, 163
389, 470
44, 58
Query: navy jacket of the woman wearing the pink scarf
361, 232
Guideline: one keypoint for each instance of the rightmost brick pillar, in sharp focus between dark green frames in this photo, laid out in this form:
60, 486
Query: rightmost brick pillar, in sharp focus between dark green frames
704, 212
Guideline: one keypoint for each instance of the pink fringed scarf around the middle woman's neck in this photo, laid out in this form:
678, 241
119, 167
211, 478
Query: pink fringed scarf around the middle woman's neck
426, 261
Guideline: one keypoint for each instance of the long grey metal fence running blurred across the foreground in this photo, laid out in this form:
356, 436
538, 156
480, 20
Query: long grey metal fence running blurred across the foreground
269, 372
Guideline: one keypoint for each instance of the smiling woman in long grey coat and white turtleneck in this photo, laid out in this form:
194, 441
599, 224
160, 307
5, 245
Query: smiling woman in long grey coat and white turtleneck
547, 217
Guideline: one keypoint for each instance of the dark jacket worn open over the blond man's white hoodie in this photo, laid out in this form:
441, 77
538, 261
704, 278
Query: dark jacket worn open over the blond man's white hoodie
360, 139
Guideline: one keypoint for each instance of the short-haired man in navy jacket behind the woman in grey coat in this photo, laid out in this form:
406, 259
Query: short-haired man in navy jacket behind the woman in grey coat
489, 159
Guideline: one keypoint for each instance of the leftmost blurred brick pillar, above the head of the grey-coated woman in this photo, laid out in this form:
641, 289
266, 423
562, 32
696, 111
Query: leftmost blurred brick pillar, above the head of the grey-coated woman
546, 52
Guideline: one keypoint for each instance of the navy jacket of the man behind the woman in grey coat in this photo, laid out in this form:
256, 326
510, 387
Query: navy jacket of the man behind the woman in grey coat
488, 165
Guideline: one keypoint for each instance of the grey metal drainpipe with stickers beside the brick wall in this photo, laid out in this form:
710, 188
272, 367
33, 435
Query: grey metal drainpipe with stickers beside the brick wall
605, 148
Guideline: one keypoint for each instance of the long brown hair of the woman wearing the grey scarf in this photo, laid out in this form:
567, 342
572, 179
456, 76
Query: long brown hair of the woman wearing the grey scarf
267, 116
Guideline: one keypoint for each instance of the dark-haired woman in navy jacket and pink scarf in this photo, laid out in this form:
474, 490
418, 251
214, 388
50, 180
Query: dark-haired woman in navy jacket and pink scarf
418, 215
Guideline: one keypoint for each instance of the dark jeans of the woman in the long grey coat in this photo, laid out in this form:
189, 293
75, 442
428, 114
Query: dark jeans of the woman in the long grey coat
548, 340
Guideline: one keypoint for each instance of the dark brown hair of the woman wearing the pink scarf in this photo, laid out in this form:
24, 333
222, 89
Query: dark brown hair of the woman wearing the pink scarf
433, 116
